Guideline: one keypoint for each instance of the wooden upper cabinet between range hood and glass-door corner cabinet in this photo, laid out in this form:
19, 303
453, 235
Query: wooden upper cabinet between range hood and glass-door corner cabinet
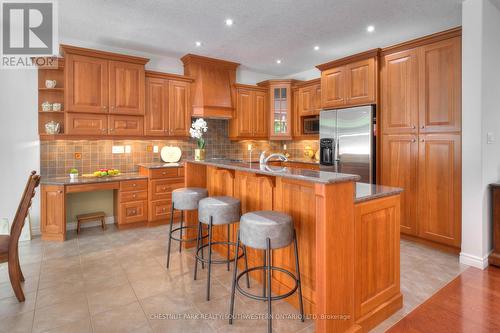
250, 119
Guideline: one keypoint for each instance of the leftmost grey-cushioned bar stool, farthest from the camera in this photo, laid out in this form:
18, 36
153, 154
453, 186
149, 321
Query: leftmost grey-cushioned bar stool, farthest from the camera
183, 199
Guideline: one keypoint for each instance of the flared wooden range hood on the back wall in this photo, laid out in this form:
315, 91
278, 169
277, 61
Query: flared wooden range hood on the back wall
212, 92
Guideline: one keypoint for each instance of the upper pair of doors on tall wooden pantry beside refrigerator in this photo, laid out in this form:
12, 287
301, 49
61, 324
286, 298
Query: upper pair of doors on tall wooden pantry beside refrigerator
421, 88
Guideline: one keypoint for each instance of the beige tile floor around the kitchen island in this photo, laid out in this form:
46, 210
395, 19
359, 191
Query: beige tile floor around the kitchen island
116, 281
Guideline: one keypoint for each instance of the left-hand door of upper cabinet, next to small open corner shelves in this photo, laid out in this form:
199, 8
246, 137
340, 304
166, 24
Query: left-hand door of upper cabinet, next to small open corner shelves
86, 84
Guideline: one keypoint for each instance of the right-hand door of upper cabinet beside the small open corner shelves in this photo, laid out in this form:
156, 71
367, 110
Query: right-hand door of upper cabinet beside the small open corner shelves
126, 88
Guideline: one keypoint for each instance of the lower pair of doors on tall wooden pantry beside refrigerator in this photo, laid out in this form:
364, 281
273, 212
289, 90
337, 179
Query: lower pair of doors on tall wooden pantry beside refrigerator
428, 168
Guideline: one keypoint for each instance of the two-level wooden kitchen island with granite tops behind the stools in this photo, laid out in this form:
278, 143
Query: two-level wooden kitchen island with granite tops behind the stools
348, 237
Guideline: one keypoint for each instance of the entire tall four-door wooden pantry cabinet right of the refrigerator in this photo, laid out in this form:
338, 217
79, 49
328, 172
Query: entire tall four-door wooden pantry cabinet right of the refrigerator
420, 114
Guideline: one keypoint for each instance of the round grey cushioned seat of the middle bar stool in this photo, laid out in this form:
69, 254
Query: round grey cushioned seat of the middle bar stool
223, 210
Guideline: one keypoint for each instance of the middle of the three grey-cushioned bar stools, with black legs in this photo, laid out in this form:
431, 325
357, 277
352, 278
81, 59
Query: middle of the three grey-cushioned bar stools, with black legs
212, 211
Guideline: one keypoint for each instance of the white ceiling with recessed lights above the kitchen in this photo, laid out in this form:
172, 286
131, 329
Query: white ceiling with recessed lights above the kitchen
263, 30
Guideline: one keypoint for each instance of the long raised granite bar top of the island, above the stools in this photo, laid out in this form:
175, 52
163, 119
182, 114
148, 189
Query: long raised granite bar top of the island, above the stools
323, 177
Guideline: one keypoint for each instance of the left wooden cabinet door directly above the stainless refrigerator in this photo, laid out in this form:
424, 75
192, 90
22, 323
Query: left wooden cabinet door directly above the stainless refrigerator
333, 87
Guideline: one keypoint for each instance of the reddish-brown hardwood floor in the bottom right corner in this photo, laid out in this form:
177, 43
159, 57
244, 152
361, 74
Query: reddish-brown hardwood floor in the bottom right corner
470, 303
